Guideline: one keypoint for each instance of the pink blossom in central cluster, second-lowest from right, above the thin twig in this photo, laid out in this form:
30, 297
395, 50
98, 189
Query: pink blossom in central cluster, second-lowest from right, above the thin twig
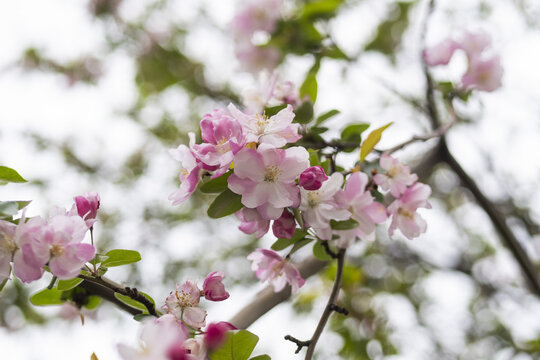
360, 203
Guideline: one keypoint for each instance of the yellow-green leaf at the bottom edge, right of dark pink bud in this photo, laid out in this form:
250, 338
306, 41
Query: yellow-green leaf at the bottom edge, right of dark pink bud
238, 346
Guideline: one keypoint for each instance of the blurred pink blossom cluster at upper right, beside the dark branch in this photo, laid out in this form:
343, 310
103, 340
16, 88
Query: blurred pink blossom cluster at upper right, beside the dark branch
484, 70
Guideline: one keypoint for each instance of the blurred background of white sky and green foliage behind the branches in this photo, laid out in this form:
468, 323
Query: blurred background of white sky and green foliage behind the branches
94, 93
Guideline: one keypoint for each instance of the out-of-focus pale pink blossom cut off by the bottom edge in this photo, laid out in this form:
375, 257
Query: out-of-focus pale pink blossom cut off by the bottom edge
160, 339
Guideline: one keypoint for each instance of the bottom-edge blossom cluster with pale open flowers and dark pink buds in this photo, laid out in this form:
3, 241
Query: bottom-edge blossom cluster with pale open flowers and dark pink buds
178, 334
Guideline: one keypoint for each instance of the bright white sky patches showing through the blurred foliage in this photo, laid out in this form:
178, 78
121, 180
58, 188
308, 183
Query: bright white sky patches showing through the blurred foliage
506, 128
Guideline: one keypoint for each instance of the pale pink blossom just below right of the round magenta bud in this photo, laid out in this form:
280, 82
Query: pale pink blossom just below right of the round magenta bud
319, 206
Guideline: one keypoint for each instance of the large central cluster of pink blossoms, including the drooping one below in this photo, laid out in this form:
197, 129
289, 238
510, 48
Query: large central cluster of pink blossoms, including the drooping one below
278, 186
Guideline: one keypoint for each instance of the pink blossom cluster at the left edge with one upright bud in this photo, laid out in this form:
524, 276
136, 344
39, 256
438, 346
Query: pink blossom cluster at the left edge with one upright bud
55, 241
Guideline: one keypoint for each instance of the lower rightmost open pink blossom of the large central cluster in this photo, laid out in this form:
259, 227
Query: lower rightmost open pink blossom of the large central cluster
403, 211
